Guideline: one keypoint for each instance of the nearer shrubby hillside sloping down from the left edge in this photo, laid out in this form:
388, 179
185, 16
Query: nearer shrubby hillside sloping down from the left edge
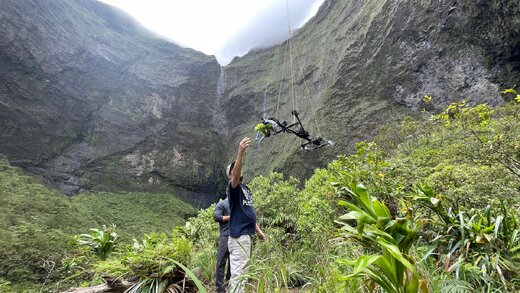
35, 226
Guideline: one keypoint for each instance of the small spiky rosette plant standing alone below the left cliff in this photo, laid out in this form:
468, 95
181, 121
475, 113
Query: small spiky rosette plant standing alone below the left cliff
101, 241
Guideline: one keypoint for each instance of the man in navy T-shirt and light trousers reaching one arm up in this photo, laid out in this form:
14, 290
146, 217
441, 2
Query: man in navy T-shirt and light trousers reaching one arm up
242, 224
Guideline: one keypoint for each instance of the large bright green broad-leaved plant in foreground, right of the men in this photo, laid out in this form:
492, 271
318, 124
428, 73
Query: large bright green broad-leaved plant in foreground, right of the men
389, 240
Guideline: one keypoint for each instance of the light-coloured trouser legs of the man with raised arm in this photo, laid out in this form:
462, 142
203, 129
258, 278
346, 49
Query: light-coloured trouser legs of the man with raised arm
239, 254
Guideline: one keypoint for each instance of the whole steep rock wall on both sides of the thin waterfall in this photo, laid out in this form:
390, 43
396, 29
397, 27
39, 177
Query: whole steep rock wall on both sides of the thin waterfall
90, 100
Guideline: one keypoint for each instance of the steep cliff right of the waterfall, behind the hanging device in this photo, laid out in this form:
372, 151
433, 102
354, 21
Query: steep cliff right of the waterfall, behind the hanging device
360, 65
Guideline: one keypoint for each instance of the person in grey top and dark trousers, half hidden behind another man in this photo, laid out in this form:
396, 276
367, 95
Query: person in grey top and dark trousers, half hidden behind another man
221, 216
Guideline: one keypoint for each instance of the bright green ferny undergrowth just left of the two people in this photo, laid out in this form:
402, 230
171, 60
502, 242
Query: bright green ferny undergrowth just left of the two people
156, 261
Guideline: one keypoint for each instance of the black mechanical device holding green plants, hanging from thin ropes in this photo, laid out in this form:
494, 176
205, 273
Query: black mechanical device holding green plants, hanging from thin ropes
273, 126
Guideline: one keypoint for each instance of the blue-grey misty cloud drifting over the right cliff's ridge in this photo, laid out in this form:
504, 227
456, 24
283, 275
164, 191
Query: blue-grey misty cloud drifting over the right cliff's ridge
268, 28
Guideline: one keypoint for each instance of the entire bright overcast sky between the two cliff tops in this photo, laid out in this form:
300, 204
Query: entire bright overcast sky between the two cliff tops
224, 28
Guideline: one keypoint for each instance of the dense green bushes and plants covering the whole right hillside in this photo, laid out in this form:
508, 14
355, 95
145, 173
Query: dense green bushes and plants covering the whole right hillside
437, 212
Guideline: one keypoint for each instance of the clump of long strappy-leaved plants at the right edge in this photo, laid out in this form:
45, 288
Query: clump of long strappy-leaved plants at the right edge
477, 245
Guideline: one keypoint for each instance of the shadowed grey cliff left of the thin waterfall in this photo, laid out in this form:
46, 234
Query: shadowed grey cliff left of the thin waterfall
90, 100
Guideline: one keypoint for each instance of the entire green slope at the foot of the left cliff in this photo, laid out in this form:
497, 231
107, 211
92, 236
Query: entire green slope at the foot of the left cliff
37, 225
